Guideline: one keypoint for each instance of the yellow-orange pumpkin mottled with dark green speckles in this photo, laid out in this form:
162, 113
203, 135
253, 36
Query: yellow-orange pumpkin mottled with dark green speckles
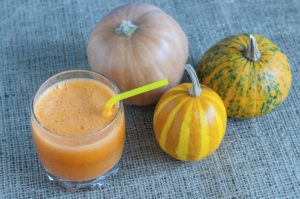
249, 72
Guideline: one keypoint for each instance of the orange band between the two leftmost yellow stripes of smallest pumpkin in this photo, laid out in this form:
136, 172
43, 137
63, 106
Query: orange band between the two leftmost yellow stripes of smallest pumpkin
169, 120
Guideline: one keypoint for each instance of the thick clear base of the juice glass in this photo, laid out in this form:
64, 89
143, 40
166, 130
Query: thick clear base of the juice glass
85, 185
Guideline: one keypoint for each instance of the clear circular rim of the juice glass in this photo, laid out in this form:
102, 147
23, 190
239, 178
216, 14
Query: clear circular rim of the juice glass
116, 89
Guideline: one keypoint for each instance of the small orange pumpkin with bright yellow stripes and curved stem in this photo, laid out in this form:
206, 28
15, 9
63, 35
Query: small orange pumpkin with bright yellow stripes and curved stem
190, 120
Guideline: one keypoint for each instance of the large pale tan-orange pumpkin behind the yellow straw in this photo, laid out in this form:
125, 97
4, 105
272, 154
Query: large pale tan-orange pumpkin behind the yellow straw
137, 44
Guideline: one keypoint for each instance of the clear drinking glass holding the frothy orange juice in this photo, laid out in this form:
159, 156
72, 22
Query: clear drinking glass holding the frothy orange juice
81, 161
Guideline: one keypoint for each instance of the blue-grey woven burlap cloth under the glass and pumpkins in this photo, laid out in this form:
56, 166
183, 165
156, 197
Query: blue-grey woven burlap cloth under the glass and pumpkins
259, 158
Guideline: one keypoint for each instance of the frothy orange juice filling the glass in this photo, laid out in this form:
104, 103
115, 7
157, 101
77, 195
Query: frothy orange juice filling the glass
78, 150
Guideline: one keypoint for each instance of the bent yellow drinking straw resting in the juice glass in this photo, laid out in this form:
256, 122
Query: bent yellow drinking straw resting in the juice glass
116, 98
